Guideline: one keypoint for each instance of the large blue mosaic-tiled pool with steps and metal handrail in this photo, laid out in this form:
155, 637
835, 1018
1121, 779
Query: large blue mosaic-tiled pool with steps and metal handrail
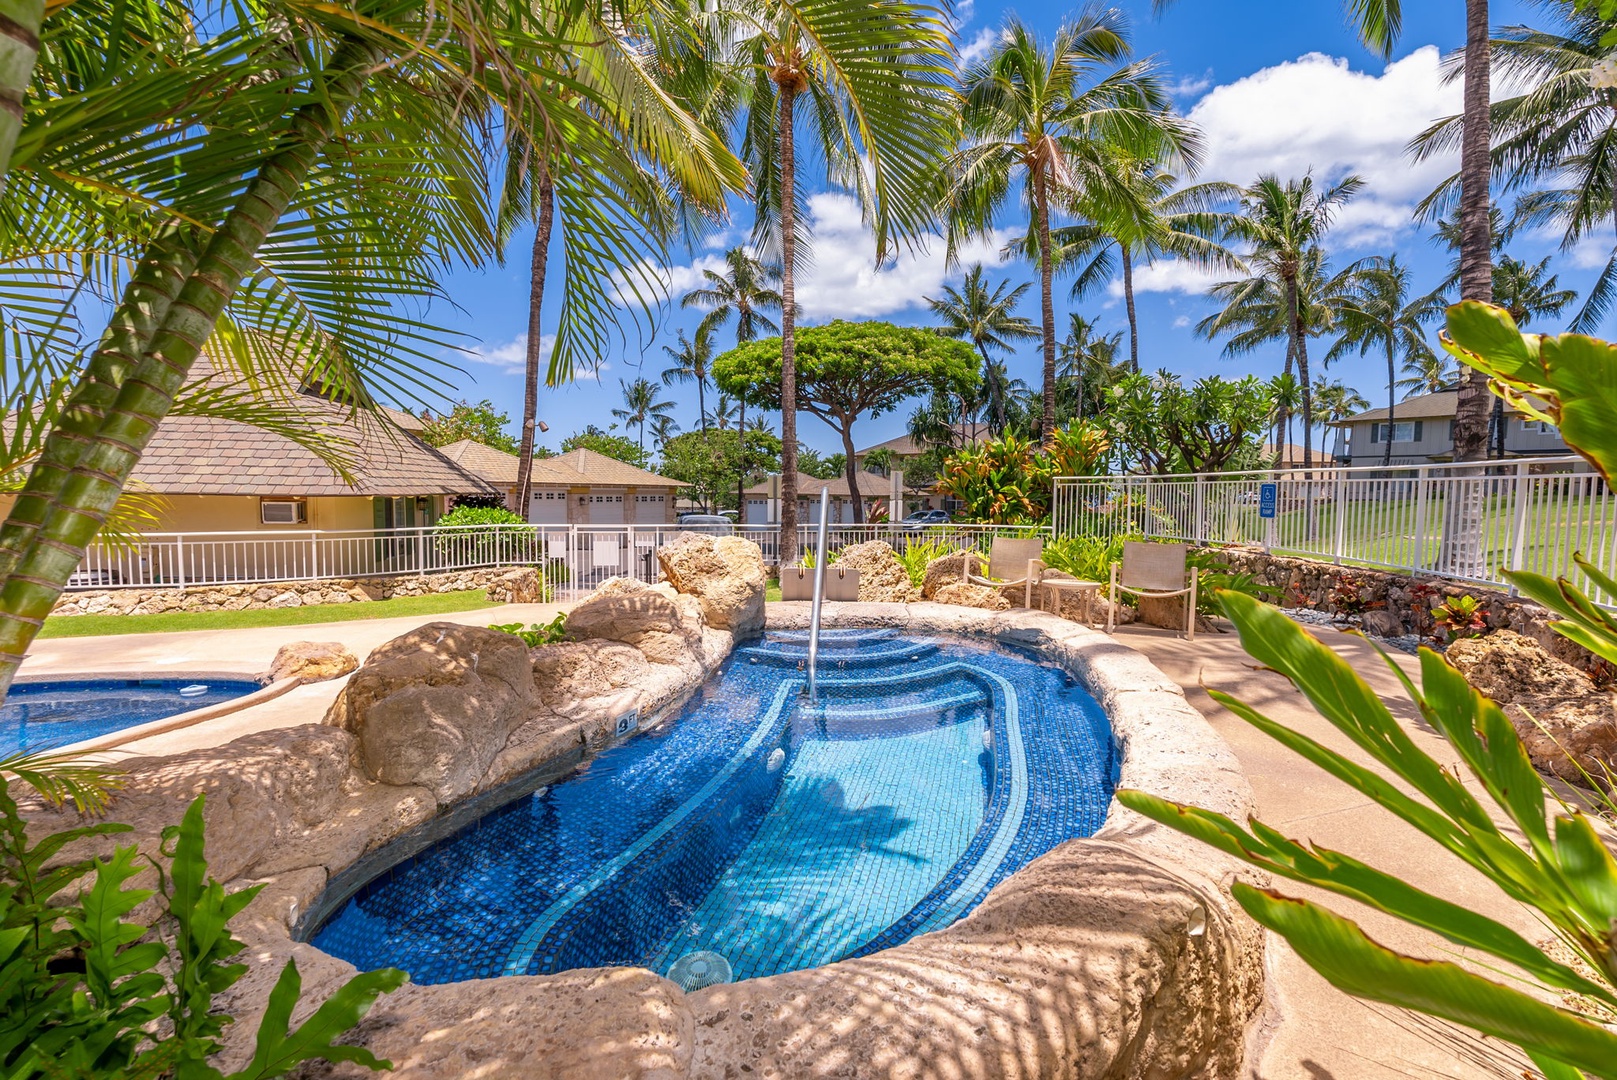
758, 833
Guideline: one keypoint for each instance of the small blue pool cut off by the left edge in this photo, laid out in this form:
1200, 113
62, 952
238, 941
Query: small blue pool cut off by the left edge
57, 712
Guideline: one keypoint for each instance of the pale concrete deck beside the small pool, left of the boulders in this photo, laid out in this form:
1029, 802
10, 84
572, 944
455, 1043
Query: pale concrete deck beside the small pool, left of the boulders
242, 652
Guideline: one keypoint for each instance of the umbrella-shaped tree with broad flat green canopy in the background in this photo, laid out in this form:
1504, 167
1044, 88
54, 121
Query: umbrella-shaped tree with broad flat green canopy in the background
848, 369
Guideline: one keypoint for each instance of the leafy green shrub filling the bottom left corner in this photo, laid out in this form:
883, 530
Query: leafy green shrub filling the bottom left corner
85, 994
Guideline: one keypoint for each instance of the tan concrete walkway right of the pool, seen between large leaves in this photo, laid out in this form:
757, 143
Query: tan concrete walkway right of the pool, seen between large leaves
1312, 1031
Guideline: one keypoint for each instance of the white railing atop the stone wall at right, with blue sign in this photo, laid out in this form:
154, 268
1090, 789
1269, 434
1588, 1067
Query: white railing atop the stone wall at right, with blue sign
1464, 523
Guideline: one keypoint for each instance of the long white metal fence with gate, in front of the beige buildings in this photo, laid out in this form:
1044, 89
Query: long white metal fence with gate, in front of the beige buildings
573, 559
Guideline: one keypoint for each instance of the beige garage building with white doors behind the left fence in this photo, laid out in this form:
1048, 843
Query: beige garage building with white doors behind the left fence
580, 487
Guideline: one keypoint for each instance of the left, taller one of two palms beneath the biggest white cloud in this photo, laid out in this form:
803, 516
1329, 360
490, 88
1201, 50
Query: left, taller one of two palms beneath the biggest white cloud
1285, 224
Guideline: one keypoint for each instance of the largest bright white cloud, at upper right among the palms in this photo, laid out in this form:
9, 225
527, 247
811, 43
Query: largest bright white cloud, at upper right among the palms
1319, 114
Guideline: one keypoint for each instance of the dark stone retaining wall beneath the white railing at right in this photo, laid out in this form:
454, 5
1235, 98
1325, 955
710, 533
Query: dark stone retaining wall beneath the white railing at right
1401, 604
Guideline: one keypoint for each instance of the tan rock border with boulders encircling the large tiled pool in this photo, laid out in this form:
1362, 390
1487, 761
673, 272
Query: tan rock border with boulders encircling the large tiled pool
1113, 956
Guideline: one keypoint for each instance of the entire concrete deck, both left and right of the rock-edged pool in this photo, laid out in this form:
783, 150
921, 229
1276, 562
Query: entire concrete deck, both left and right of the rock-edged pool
1312, 1032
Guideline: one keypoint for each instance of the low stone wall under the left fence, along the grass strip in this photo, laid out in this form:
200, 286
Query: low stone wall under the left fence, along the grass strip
274, 596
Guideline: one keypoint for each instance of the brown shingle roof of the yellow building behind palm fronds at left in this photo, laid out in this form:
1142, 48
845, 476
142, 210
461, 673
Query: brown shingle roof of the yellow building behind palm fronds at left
193, 455
